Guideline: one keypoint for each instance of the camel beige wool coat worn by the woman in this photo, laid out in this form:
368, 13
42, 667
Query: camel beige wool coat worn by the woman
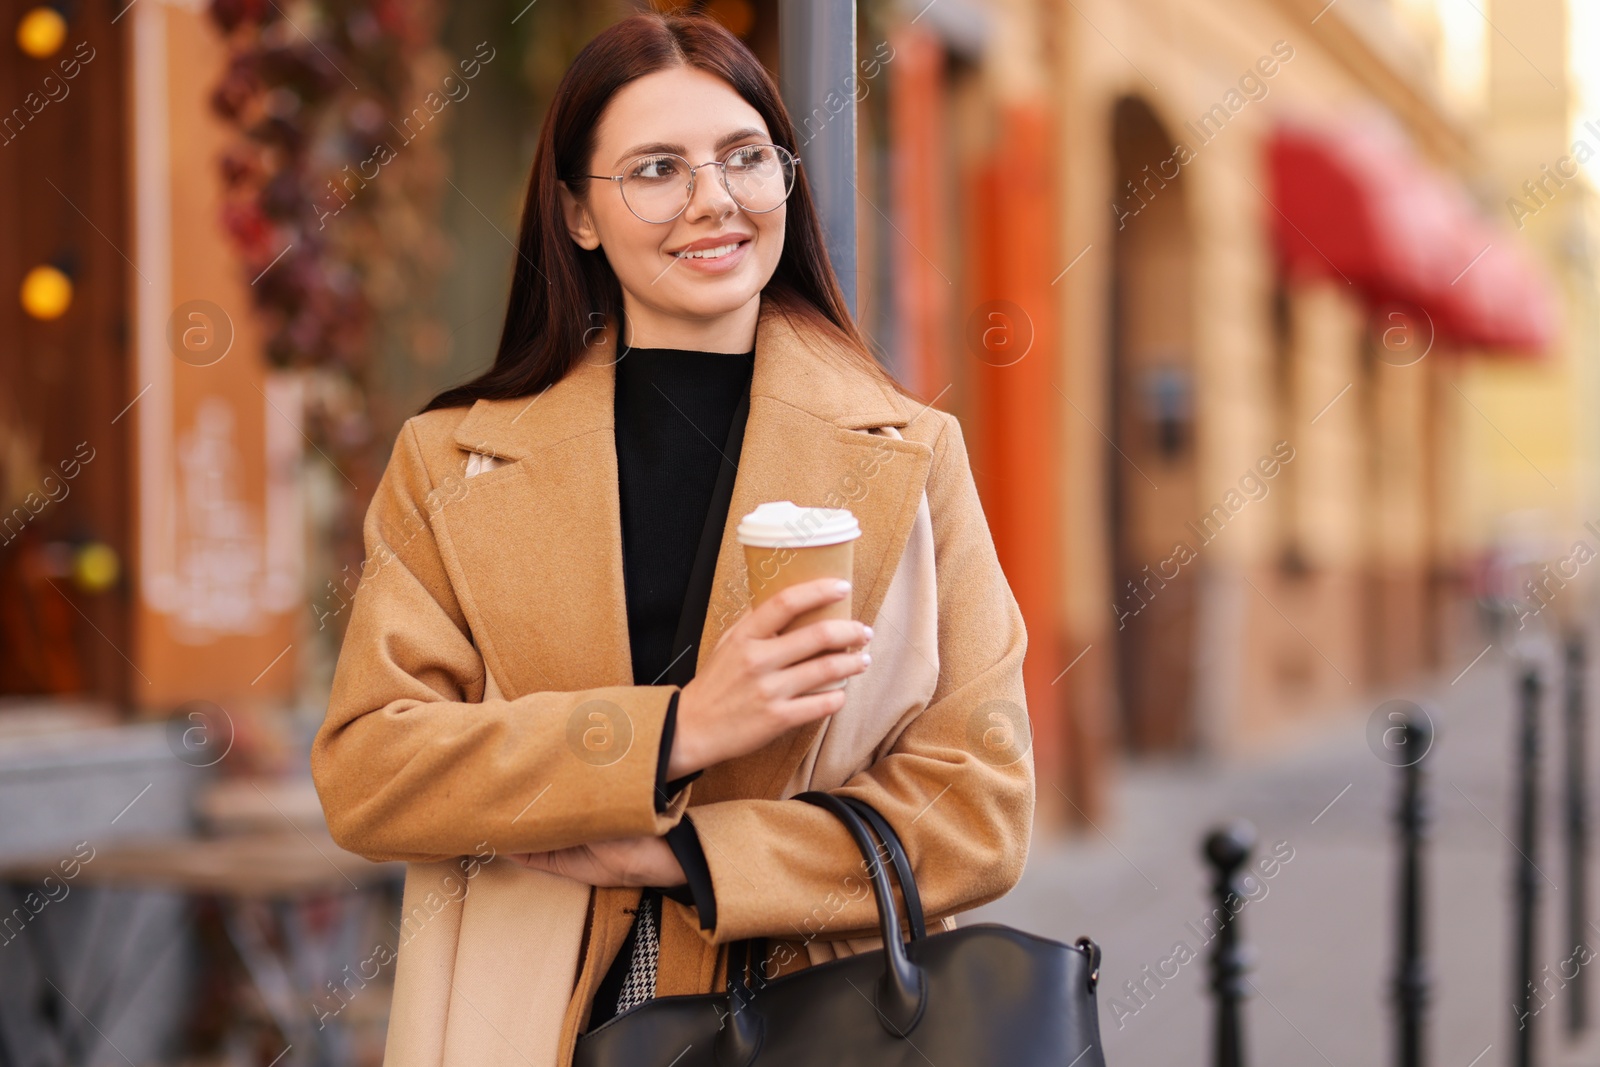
489, 650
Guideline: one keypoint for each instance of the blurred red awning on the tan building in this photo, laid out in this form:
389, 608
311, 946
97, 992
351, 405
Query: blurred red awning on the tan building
1358, 204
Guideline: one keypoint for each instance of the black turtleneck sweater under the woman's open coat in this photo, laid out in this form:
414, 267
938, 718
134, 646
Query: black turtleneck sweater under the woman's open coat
673, 410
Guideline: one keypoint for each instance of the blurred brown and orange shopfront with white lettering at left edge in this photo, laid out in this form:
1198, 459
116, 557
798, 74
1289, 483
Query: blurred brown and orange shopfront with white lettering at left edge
169, 557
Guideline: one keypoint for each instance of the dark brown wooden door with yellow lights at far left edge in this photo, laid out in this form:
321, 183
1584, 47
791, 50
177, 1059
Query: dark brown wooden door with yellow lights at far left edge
65, 450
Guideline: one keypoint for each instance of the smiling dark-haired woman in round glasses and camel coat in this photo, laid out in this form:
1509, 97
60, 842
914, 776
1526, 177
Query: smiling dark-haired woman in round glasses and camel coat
551, 658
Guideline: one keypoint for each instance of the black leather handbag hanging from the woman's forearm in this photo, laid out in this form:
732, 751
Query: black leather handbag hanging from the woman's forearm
985, 994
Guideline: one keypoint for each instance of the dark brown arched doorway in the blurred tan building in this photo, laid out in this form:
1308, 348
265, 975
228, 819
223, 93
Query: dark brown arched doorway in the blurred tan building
1151, 455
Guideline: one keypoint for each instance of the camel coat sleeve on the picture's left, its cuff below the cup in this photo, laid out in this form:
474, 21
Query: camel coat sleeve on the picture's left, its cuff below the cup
412, 762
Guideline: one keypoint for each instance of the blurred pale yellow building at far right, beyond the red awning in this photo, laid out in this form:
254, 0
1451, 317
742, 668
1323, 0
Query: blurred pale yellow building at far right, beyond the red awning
1534, 503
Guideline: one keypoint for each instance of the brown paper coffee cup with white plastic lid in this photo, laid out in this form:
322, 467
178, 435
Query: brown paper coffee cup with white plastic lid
786, 545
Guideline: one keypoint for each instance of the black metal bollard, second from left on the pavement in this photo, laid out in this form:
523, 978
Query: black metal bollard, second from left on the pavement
1412, 981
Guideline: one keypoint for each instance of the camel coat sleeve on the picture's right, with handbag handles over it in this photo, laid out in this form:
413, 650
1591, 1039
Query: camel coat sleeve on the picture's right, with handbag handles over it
958, 786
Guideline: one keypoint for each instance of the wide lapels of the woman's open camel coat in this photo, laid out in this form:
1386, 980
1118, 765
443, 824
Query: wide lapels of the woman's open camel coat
540, 546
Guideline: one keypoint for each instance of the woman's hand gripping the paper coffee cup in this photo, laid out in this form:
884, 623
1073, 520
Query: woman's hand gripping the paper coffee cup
746, 695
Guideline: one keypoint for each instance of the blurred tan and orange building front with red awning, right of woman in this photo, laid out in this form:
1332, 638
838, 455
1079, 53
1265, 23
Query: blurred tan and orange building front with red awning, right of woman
1286, 348
